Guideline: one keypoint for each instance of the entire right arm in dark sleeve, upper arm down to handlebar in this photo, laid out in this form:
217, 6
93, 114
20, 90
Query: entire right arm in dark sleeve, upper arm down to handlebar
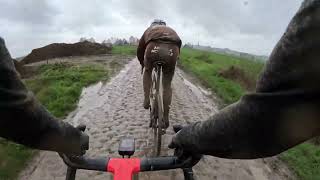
284, 111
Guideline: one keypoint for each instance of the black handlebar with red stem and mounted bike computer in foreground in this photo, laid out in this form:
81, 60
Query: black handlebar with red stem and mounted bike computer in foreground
124, 168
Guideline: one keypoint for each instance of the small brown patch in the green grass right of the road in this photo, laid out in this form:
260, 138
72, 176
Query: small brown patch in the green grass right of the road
238, 75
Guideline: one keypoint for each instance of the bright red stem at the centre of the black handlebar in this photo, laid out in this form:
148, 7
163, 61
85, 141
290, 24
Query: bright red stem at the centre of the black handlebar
123, 169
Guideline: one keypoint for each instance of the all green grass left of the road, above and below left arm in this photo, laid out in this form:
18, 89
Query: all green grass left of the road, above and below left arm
58, 87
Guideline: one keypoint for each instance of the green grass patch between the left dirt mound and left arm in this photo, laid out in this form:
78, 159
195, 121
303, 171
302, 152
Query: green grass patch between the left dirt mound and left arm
58, 86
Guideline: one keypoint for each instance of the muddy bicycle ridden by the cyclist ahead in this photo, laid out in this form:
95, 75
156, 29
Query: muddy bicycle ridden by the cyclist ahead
156, 106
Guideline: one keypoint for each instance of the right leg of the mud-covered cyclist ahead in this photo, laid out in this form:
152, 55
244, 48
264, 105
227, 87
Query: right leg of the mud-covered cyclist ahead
168, 72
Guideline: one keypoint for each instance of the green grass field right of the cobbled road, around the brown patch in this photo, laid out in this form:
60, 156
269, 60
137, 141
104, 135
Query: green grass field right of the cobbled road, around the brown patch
207, 66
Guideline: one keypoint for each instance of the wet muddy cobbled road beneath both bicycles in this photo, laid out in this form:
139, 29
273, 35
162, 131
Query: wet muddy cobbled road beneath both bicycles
114, 110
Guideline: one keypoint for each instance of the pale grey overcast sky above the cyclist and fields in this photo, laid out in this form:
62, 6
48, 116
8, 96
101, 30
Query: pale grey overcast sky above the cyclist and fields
252, 26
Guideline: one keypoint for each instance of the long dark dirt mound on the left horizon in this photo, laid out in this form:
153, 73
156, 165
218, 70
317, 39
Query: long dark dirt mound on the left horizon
62, 50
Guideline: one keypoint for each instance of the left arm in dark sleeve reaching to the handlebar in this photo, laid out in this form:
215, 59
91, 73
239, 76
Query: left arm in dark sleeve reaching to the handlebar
24, 120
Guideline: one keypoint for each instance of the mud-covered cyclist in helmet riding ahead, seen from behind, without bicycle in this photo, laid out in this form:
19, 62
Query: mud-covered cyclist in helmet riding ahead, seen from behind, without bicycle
159, 43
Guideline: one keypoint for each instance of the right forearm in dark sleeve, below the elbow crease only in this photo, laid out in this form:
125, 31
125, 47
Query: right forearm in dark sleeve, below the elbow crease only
259, 125
